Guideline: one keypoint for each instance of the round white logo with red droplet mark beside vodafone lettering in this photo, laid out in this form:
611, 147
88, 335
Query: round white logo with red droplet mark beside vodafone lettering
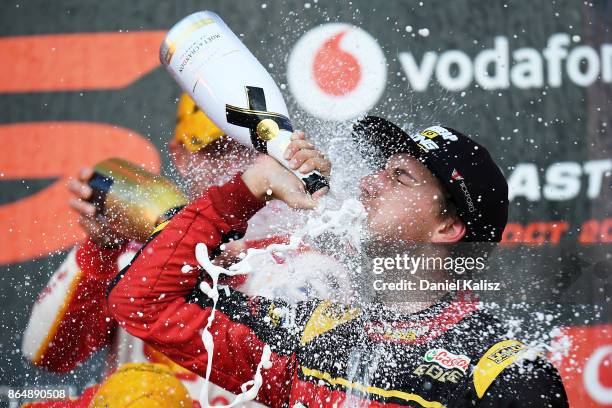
337, 71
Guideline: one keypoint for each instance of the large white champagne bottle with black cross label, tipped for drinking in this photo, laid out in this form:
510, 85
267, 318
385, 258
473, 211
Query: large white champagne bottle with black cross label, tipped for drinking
230, 85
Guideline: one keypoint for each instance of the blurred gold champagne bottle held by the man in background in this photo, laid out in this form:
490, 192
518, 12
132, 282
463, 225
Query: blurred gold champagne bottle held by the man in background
133, 200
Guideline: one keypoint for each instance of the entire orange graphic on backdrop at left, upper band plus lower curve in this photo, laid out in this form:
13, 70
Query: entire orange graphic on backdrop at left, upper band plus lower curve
42, 223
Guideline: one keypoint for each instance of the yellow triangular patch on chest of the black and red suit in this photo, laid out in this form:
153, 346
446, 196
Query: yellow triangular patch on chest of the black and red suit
325, 317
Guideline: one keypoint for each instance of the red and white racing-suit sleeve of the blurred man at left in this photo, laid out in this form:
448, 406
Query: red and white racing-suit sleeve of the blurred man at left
70, 319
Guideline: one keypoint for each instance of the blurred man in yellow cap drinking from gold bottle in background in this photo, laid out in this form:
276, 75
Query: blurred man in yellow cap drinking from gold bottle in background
70, 321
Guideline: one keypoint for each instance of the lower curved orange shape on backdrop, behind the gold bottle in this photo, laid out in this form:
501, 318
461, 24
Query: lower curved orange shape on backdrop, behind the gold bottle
42, 223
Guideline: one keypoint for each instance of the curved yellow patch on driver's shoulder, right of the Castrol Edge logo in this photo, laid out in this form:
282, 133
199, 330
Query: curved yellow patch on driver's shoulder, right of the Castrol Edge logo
494, 361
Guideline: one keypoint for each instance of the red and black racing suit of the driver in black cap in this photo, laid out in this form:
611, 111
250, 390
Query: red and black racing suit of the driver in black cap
323, 354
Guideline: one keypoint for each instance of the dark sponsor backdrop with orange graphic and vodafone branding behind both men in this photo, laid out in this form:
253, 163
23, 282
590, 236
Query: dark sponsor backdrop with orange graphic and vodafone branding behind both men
80, 81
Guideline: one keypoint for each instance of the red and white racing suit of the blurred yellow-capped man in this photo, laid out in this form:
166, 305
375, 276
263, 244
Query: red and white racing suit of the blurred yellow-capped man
70, 320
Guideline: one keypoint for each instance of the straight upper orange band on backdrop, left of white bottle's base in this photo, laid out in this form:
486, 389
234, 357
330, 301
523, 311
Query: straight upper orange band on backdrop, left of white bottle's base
64, 62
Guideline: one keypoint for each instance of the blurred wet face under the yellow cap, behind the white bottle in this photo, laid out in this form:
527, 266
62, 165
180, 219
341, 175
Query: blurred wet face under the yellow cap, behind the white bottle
214, 164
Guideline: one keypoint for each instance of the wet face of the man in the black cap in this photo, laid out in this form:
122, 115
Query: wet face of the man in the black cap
404, 202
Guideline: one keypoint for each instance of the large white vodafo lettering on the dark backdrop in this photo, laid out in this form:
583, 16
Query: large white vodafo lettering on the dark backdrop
500, 68
